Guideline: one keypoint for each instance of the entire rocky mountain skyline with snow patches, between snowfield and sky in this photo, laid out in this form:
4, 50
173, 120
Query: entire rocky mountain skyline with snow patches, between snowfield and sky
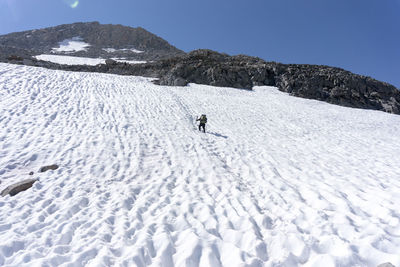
117, 49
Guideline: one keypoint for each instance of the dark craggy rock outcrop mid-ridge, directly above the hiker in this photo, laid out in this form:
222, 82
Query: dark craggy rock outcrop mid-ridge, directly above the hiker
212, 68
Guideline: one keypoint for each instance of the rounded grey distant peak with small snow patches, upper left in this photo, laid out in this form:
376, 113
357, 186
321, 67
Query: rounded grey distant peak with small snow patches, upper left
93, 39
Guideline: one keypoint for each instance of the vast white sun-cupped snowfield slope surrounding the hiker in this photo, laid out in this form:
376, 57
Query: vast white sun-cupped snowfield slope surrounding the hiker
275, 181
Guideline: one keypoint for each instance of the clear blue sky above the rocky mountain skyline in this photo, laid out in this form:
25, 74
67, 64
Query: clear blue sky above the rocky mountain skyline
362, 36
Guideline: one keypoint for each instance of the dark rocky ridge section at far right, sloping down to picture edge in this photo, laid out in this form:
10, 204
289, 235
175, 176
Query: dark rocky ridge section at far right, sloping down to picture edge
339, 87
